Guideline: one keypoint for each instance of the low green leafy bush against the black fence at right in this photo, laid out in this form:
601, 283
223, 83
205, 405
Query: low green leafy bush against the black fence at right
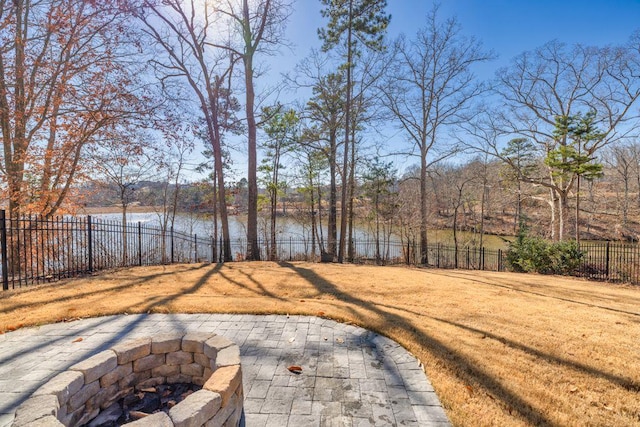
529, 254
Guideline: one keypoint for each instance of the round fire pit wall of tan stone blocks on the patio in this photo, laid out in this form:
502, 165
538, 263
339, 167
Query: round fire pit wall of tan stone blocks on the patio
78, 395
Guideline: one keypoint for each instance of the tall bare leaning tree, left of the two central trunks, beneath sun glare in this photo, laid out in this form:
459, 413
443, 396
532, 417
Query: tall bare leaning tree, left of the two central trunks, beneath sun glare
185, 32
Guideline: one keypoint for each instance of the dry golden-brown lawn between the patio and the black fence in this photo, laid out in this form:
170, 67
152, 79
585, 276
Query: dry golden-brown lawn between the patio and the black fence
500, 349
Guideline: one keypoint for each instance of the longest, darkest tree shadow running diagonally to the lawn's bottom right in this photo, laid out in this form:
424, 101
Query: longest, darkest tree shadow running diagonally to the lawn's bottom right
447, 354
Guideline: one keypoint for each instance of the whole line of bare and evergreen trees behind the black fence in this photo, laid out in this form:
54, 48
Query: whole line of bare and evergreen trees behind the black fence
117, 93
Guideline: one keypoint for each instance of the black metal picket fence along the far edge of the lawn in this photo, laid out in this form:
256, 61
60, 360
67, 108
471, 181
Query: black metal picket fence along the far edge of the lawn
38, 250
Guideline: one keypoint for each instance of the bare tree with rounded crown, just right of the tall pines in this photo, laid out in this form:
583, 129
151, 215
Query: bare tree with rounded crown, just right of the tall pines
429, 89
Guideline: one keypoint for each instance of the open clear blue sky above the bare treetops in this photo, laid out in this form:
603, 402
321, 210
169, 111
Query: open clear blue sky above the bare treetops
509, 27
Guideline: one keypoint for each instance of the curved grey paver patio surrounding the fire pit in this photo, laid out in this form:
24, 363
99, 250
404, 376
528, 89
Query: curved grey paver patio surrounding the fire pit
350, 376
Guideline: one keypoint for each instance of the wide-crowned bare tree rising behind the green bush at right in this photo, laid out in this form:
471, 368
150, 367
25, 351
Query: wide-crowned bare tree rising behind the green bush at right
556, 82
